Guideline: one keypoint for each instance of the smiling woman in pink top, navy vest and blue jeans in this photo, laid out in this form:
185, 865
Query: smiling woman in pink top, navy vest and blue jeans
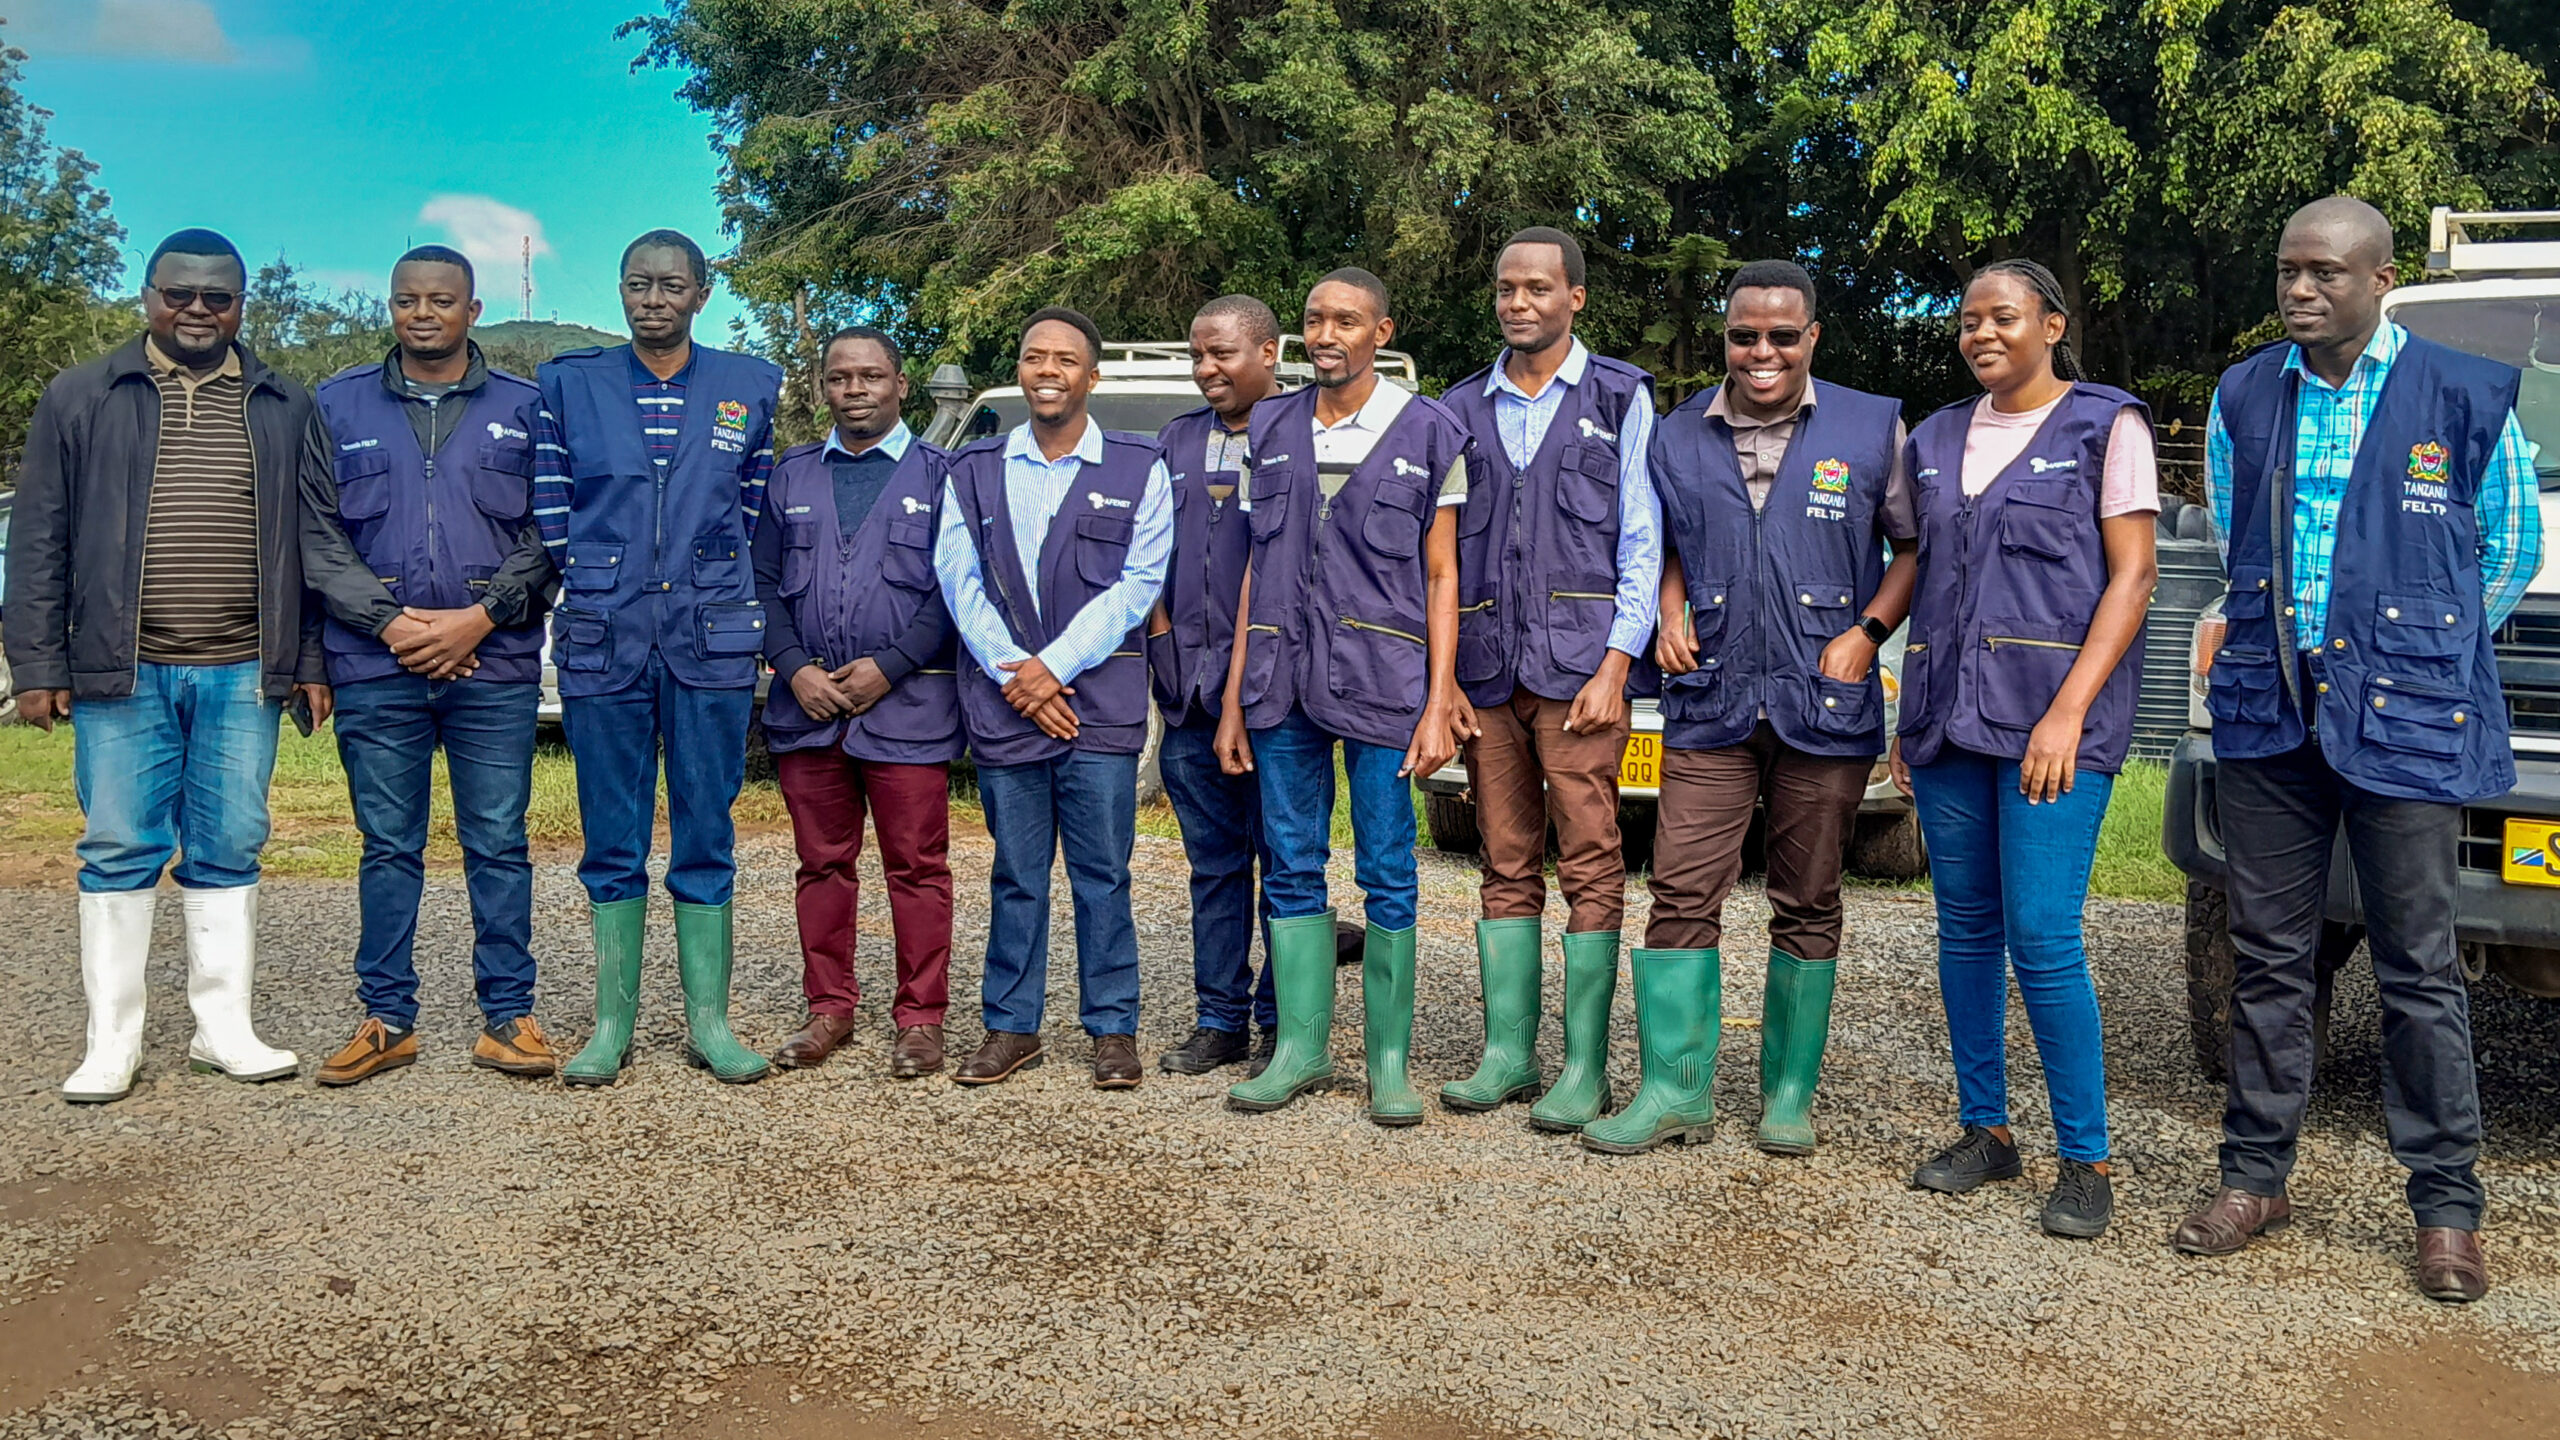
2036, 565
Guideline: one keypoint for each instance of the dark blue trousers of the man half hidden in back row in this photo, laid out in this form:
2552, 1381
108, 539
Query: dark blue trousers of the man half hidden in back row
1222, 837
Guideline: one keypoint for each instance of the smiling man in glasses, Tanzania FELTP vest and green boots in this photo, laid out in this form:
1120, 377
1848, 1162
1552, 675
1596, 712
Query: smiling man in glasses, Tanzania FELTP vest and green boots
1780, 496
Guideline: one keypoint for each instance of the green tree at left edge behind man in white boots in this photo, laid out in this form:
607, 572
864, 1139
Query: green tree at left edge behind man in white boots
58, 252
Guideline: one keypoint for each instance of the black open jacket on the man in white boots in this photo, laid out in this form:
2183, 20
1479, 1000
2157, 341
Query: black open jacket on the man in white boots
76, 573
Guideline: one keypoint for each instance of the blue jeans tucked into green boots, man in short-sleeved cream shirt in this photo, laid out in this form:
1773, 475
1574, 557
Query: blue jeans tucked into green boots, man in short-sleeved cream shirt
1297, 767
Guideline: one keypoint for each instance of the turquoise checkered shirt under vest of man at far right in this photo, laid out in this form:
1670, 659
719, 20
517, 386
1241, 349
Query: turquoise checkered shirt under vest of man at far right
2326, 439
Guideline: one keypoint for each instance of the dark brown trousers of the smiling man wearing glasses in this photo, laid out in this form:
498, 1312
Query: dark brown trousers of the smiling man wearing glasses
1699, 842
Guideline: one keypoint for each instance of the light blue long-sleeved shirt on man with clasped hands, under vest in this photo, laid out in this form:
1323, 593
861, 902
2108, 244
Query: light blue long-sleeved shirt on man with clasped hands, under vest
1033, 491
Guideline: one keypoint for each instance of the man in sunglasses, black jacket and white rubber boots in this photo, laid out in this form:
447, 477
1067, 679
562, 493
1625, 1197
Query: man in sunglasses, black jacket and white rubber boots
157, 583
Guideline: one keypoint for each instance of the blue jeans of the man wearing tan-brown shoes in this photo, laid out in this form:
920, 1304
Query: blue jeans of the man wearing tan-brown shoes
388, 737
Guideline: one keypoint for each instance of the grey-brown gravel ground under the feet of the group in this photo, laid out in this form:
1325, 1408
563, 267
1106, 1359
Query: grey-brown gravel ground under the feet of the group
447, 1252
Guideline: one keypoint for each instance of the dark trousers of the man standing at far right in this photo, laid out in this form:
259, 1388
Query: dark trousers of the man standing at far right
2280, 819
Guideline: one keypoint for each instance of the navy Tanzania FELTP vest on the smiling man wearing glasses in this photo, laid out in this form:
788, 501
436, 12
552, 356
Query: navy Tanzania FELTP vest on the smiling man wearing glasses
1770, 588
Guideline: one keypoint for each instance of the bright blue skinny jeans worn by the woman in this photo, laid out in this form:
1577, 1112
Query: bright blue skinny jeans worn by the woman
2011, 885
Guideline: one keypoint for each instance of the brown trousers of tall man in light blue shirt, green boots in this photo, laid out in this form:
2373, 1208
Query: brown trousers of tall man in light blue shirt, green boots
1527, 770
